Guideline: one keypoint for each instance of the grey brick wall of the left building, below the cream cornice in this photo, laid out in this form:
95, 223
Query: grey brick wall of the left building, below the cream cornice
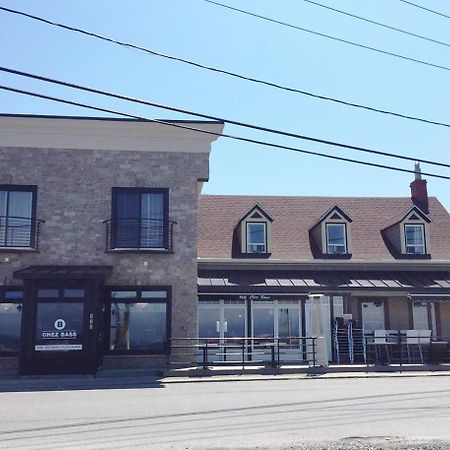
74, 197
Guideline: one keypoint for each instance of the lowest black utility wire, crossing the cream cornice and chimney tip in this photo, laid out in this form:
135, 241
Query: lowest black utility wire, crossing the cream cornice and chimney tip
227, 136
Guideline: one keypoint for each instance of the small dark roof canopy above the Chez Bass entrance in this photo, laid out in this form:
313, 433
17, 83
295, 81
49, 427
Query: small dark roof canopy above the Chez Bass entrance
63, 272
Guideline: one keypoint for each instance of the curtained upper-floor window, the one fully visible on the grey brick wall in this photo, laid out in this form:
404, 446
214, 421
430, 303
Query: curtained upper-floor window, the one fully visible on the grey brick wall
140, 218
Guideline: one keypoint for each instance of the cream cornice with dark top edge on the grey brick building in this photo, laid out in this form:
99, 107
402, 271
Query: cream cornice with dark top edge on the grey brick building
99, 133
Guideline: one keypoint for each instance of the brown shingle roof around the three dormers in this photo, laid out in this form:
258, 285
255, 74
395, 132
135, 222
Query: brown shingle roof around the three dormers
294, 216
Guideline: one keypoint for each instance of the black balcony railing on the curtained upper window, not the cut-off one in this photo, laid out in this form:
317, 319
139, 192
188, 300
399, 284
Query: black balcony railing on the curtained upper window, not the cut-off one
153, 235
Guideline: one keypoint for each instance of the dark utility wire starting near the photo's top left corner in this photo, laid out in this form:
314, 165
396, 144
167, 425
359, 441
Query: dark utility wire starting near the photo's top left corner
225, 72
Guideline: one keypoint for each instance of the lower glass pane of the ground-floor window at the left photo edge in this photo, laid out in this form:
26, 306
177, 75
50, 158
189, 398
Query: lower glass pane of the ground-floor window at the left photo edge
10, 324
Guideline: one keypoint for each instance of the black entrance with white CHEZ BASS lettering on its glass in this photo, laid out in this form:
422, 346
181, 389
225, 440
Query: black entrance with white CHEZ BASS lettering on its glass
60, 327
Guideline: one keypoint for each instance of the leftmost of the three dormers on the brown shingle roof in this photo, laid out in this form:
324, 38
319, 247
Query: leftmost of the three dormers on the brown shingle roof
254, 231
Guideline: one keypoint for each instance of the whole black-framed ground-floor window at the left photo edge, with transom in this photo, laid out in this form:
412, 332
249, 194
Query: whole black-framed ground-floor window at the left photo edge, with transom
10, 320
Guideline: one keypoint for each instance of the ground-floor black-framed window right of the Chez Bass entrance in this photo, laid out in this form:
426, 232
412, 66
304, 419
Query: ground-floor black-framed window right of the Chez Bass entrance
139, 320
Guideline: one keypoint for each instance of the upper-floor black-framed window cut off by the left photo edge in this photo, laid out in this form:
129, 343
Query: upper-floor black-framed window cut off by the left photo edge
17, 211
